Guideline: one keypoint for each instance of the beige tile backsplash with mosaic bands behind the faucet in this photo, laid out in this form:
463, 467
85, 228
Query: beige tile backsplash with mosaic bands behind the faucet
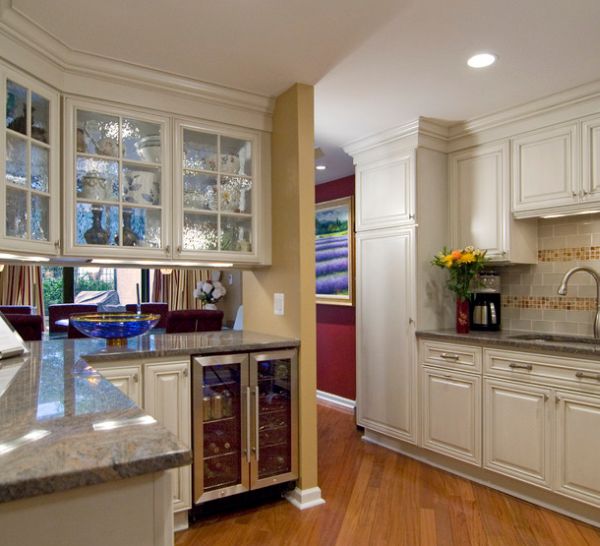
530, 299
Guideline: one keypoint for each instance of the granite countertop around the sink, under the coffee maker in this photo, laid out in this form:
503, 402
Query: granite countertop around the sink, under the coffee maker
515, 339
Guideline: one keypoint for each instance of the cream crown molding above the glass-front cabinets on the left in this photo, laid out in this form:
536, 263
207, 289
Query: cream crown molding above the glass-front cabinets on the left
31, 36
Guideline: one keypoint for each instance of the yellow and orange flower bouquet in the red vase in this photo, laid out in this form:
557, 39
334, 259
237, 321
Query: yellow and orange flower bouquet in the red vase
462, 265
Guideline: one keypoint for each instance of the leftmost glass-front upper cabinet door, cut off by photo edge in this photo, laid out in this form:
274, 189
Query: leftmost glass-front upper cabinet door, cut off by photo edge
30, 166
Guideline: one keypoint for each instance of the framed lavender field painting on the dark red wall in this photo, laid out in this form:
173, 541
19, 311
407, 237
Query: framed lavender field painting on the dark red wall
333, 252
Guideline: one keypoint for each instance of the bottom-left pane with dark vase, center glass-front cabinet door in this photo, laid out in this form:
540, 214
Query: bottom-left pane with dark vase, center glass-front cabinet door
97, 224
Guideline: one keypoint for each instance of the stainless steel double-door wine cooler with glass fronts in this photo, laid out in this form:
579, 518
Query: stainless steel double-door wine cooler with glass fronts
245, 422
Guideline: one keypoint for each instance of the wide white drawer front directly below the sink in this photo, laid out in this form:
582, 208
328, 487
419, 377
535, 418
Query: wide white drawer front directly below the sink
551, 370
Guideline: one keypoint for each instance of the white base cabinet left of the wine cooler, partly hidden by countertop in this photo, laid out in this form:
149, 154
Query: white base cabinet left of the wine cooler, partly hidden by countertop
162, 388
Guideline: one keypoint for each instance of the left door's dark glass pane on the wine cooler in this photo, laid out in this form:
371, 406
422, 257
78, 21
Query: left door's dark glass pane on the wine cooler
222, 430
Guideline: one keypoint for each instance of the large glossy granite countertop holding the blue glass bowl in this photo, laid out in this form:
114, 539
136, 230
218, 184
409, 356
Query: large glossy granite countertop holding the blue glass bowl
62, 425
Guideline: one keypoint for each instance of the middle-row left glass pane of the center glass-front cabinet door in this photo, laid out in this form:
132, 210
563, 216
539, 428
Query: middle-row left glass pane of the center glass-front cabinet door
97, 179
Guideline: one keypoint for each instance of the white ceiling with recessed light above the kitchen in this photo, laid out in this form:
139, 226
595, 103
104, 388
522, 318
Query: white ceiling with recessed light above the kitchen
375, 64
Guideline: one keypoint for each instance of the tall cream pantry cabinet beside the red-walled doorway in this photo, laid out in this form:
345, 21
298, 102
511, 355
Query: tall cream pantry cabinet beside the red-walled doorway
401, 221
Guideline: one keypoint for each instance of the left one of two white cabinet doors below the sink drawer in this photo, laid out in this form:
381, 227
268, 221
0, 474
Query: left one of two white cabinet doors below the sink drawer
517, 431
